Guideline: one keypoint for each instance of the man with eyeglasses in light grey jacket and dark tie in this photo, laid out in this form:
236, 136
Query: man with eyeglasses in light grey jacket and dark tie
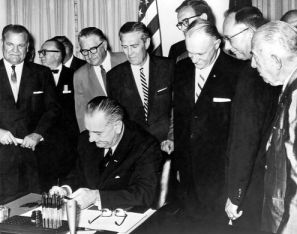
90, 79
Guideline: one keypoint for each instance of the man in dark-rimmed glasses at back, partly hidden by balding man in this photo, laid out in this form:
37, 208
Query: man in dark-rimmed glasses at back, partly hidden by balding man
187, 12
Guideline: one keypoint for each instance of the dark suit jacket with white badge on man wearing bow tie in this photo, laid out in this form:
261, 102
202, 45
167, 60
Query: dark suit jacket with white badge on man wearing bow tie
59, 154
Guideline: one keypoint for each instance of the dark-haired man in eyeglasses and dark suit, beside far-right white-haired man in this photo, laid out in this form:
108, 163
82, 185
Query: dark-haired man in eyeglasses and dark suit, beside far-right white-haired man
252, 113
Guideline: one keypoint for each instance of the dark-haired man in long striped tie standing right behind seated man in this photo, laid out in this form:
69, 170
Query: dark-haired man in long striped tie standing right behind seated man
143, 83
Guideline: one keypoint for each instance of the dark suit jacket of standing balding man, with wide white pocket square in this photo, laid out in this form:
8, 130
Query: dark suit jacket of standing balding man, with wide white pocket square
201, 131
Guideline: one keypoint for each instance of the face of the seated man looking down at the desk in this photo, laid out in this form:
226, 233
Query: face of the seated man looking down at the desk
103, 133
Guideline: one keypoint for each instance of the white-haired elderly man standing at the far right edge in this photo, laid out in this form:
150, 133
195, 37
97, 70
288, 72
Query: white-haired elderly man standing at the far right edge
275, 57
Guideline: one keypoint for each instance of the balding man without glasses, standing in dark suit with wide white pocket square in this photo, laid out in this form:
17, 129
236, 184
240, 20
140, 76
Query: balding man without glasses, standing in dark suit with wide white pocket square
204, 86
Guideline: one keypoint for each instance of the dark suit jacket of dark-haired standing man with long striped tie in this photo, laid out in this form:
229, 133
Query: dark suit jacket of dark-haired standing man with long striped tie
122, 87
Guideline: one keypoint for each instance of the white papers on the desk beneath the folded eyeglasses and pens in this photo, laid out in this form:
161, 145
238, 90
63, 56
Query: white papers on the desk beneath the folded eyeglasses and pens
131, 222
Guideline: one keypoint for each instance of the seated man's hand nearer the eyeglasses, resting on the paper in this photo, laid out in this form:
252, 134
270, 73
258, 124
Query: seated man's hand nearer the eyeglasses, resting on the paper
84, 197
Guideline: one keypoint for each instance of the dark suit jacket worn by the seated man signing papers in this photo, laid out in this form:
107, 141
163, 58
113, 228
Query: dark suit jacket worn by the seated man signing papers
131, 178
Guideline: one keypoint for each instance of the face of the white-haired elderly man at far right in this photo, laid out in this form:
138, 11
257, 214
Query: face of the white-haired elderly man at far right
265, 63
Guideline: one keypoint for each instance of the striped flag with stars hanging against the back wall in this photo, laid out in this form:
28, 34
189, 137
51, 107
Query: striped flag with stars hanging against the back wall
148, 14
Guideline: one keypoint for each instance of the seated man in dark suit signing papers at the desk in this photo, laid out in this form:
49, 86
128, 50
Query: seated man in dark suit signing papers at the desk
119, 163
